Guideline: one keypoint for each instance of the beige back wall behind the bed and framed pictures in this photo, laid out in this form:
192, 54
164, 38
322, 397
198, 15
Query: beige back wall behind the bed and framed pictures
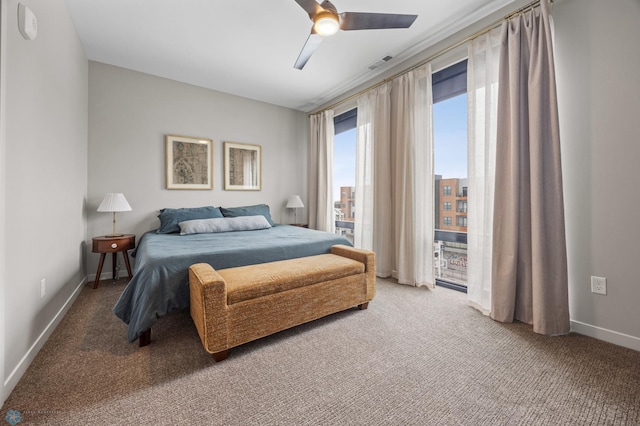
129, 115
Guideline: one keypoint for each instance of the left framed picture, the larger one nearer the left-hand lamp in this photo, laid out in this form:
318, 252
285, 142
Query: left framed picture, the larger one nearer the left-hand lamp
189, 162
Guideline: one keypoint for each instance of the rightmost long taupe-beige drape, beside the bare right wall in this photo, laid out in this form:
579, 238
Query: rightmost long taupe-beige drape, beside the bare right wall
529, 250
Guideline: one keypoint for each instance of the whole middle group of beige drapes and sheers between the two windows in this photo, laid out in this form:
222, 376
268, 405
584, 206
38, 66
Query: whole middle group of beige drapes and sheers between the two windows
395, 182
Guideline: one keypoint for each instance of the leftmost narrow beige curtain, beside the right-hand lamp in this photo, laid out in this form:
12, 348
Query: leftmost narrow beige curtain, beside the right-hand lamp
321, 215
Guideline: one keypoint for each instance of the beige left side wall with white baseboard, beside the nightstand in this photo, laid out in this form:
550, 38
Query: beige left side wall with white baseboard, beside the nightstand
45, 173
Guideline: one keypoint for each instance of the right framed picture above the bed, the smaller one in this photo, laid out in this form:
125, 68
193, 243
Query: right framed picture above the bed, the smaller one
242, 167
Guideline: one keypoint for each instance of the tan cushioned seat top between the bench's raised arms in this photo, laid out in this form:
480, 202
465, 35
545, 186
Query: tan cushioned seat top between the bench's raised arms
253, 281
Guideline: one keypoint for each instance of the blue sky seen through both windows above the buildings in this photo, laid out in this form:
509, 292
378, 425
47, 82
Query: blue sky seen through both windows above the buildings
450, 145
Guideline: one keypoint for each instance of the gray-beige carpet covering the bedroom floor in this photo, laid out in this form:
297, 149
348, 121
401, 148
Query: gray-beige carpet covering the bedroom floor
415, 357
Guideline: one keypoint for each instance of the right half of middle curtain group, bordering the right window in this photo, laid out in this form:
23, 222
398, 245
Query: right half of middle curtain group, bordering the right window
412, 177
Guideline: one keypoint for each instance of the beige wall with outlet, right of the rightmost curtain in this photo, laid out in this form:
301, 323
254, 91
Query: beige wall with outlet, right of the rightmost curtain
597, 59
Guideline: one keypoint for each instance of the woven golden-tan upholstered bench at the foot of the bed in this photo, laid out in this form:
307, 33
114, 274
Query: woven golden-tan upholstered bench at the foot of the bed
234, 306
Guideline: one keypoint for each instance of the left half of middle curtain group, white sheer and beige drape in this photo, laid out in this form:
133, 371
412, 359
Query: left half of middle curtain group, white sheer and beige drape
373, 177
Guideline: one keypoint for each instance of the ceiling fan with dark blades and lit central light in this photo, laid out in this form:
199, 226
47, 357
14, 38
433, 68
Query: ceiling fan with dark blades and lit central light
327, 21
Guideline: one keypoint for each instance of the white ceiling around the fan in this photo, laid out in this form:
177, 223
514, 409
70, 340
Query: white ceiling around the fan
248, 47
